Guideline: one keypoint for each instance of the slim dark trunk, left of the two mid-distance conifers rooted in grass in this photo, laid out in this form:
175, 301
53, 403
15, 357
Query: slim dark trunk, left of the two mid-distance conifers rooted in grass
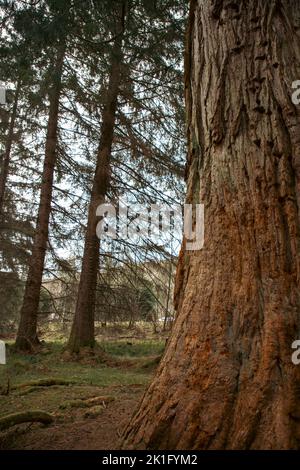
27, 332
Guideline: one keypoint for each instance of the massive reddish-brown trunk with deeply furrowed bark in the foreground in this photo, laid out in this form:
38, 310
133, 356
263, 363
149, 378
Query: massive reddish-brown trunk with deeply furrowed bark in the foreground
226, 380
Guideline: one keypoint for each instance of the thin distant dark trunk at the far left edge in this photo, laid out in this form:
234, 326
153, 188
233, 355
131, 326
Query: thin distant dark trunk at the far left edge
8, 146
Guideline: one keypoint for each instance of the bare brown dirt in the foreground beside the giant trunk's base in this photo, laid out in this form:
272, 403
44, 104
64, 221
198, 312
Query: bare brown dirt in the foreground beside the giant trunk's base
71, 430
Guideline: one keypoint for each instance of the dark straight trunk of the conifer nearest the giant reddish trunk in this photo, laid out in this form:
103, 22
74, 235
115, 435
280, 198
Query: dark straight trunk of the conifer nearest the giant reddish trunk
82, 333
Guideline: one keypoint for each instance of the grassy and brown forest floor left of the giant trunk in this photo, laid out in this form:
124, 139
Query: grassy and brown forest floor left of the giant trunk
91, 399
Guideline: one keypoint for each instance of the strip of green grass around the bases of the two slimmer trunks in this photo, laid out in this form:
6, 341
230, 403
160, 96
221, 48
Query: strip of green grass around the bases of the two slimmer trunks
50, 363
